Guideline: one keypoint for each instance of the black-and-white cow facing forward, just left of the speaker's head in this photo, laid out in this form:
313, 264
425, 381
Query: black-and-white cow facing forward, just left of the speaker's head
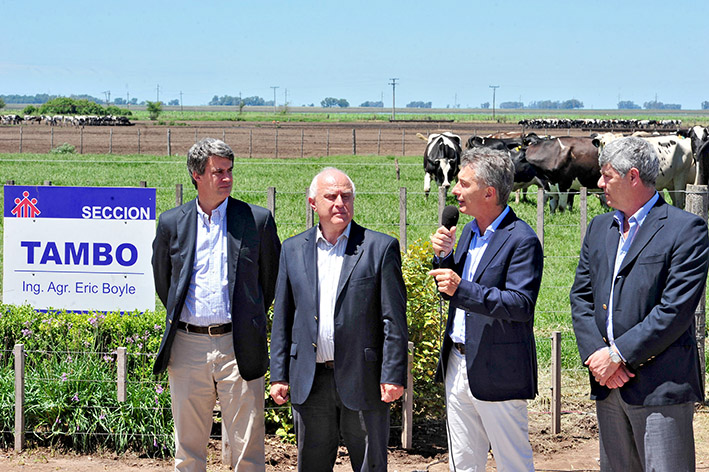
441, 159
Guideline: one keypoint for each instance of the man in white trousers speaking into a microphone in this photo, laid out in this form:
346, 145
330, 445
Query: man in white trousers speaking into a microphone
488, 358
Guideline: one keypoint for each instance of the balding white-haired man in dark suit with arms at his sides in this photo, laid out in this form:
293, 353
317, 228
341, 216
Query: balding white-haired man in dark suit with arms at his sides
339, 337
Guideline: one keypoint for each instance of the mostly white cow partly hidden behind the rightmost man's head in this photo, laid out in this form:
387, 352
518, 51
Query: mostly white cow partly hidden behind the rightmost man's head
677, 163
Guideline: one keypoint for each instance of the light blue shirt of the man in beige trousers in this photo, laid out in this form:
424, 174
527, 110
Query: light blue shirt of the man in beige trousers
207, 302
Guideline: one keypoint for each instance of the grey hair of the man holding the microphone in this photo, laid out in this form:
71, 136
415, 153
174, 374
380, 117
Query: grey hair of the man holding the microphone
494, 168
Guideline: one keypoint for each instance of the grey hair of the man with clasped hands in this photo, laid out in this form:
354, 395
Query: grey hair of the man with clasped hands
625, 153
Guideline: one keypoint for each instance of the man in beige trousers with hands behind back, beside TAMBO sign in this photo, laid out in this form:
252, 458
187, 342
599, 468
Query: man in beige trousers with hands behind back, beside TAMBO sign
215, 261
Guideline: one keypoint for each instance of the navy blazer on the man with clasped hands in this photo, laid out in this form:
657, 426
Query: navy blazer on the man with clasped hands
657, 290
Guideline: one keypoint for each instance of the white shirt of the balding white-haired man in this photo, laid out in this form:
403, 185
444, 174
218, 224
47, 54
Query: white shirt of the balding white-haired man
330, 258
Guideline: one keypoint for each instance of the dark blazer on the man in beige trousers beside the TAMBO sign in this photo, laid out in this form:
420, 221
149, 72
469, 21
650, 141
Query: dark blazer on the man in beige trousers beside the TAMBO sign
253, 250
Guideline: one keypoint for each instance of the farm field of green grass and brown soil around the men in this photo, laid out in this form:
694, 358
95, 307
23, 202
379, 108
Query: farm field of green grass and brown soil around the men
374, 171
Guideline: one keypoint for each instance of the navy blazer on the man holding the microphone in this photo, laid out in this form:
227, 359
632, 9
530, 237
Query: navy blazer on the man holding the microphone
500, 351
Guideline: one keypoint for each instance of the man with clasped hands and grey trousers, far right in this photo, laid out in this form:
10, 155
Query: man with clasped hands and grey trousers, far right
641, 274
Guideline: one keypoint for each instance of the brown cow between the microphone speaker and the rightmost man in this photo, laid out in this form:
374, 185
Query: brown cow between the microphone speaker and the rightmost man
567, 162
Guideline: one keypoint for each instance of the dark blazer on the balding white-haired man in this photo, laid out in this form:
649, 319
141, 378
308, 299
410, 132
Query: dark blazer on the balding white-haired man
370, 318
